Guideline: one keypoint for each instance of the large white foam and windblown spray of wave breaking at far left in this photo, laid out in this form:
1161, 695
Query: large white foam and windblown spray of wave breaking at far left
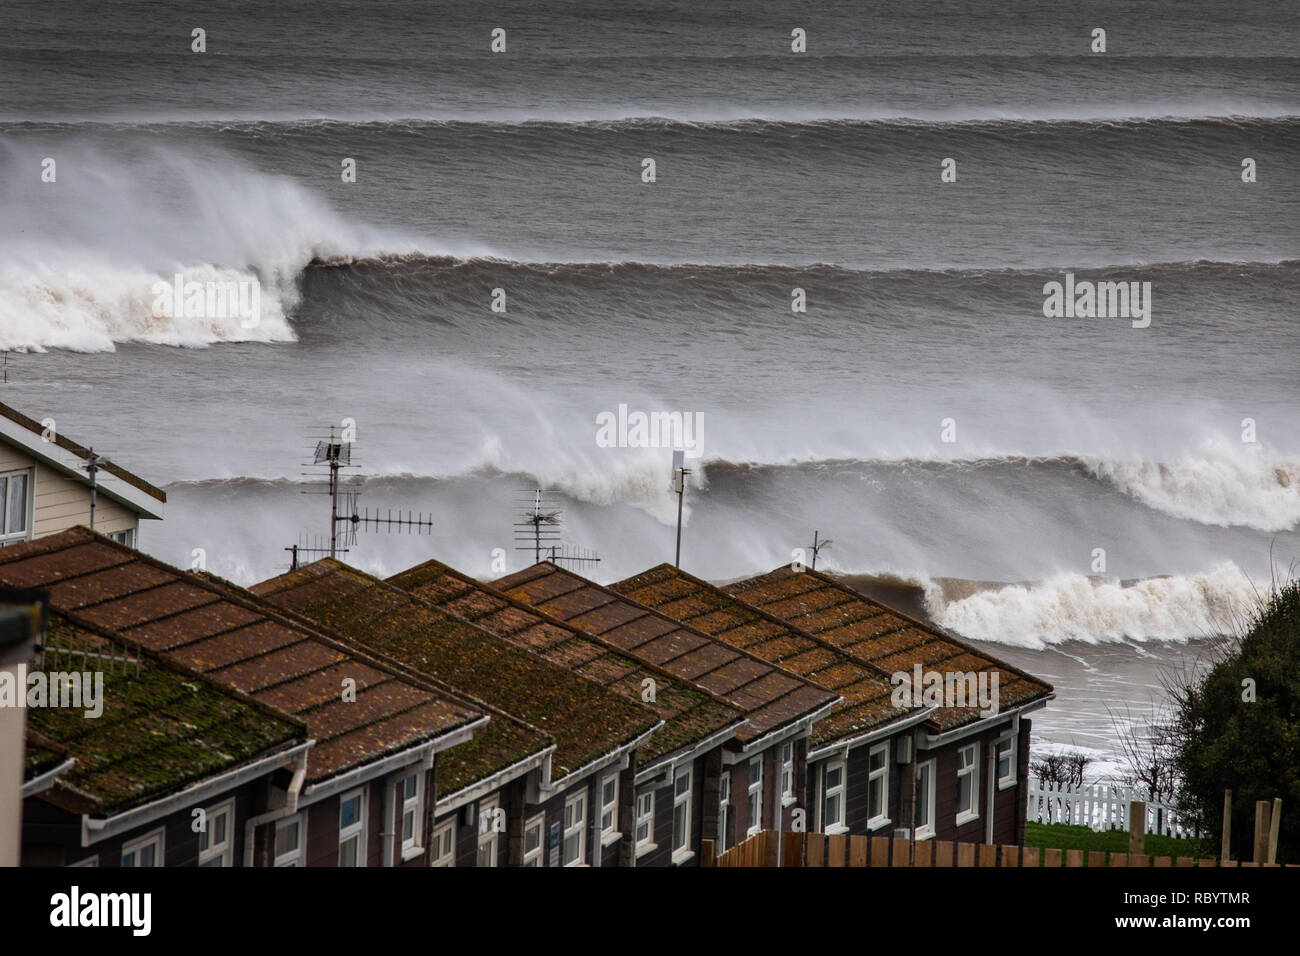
80, 257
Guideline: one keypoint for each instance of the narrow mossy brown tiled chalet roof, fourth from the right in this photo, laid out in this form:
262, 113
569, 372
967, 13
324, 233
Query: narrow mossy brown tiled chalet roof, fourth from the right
690, 715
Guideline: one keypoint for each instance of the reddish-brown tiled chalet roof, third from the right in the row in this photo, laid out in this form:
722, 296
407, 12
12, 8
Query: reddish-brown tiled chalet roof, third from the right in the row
770, 697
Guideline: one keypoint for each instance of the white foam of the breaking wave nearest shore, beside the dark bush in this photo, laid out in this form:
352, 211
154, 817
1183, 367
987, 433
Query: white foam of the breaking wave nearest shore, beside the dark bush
1076, 608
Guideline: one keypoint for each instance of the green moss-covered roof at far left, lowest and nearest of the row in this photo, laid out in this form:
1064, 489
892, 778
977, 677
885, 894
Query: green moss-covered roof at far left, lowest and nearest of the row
162, 729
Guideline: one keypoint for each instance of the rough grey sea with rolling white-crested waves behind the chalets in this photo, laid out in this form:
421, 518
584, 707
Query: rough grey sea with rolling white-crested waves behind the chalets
479, 228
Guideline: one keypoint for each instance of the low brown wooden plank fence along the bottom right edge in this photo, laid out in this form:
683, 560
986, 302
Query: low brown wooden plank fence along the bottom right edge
773, 849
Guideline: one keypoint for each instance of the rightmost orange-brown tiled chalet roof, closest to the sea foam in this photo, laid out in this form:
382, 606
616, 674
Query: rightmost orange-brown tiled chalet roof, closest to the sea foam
877, 635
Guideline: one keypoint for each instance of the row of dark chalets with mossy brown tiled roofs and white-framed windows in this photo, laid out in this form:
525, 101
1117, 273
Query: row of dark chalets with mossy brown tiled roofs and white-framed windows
331, 719
